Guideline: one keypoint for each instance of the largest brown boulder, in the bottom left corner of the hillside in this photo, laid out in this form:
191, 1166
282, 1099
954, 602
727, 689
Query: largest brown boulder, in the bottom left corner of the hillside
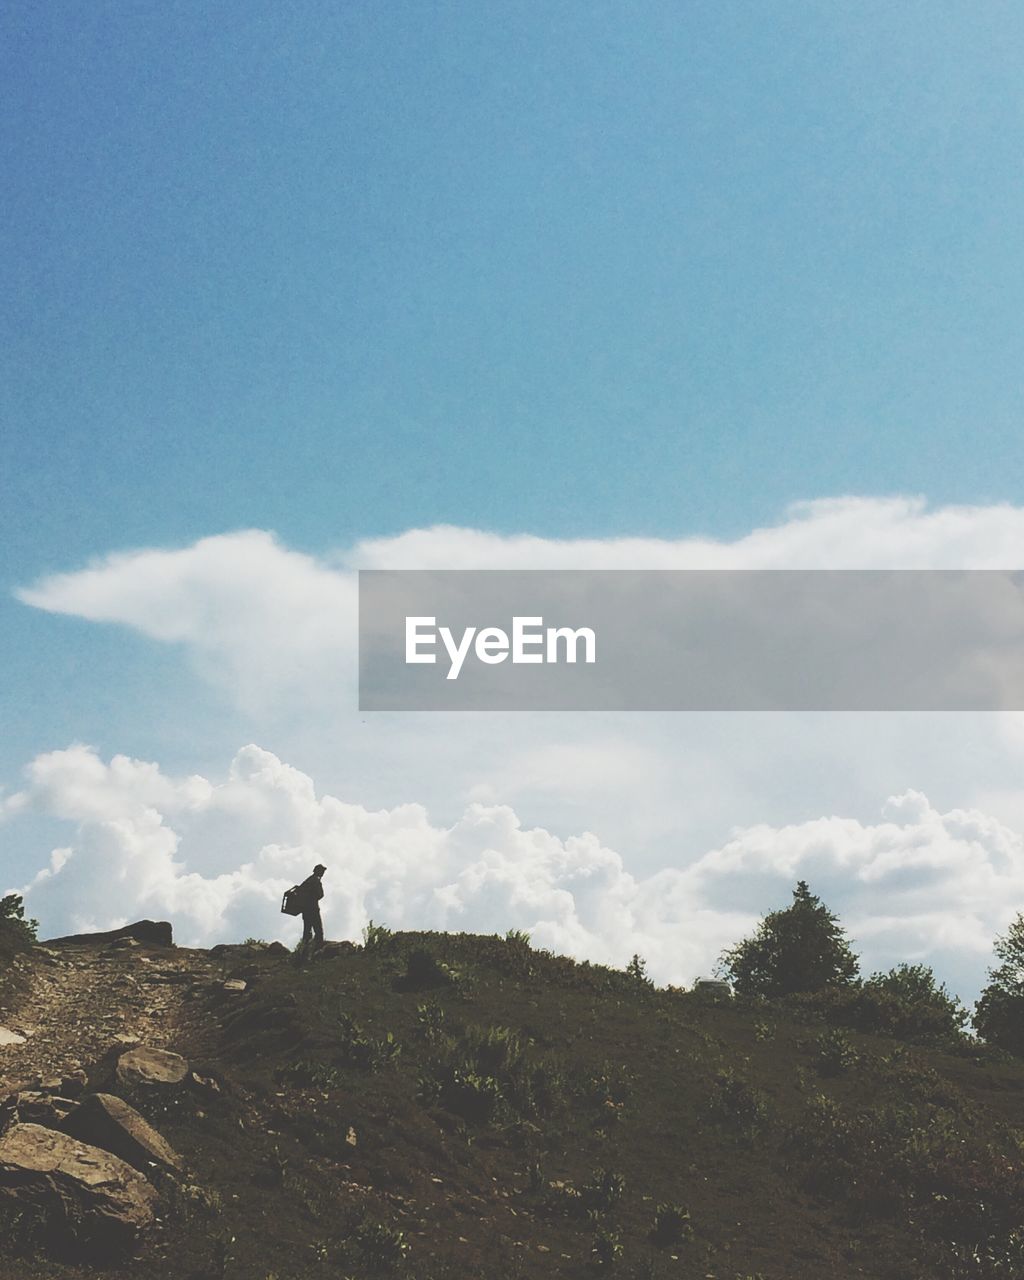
89, 1195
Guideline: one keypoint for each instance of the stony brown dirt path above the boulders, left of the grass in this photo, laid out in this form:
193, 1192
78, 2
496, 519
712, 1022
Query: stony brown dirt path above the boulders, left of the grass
81, 999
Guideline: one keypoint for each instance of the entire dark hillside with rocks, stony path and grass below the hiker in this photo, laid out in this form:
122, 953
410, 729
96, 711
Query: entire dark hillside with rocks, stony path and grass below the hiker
458, 1108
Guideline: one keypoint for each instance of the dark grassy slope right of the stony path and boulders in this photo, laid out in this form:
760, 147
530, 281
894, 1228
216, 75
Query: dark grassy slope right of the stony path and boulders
455, 1107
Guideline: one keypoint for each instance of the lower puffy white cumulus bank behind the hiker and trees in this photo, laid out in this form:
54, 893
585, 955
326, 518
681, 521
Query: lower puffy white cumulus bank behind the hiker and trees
216, 857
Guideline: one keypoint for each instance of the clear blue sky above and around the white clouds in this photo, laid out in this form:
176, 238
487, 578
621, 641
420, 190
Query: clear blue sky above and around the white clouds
578, 271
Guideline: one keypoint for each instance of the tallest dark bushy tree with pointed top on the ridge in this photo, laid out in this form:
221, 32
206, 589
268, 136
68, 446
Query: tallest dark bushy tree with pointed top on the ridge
802, 948
